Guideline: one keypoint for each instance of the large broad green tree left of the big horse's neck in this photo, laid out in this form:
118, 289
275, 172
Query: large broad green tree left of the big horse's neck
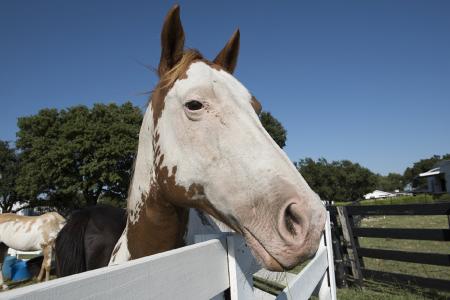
74, 156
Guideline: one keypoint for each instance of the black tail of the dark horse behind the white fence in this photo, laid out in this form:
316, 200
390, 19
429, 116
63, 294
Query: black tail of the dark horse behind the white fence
69, 245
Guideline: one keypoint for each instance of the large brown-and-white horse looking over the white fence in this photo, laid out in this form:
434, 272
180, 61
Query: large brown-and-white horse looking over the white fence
202, 146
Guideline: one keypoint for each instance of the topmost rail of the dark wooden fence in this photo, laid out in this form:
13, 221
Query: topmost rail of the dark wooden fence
405, 209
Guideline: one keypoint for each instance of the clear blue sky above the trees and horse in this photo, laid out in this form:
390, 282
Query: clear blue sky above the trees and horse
367, 81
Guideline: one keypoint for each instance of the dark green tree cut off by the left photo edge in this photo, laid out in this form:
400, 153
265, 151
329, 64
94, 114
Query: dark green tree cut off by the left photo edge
9, 165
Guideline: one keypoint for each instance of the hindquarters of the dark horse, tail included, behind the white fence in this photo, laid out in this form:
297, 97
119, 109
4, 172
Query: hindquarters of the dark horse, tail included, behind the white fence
88, 238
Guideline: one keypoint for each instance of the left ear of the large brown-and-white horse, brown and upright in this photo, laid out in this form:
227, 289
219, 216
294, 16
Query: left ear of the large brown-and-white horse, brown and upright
172, 41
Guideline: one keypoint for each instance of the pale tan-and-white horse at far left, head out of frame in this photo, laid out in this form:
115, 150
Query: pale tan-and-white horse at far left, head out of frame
30, 234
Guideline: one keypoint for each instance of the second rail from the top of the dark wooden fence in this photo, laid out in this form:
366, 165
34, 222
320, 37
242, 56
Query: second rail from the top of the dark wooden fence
409, 234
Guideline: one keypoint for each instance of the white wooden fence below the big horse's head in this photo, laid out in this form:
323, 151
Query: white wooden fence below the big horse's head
200, 271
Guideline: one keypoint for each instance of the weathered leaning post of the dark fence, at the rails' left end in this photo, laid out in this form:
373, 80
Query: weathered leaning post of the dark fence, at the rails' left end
349, 240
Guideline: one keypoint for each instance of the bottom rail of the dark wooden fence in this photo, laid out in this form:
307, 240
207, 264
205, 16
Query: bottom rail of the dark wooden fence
397, 278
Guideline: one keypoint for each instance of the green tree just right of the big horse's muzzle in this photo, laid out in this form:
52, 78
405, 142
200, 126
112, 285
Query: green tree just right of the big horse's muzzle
337, 180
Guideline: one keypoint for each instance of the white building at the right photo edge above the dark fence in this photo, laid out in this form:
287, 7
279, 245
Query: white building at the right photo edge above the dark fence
438, 178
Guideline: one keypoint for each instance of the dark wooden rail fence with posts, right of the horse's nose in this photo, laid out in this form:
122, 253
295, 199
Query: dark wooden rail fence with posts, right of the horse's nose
351, 255
